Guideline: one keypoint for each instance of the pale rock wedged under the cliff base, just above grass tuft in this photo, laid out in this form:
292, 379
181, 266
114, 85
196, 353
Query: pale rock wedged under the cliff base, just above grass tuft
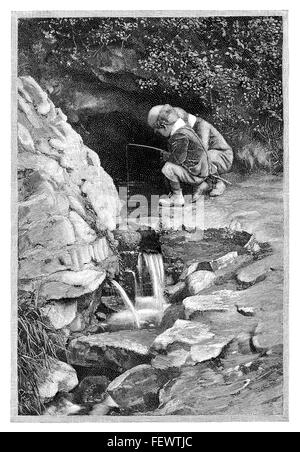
60, 314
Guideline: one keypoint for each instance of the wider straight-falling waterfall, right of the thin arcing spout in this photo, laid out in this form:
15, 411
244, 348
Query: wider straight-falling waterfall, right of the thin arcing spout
155, 267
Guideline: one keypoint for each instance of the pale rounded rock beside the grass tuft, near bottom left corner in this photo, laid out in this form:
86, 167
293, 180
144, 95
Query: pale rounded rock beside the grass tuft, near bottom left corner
60, 377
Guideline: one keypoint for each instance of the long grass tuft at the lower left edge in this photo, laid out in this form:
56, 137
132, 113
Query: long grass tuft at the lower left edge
38, 343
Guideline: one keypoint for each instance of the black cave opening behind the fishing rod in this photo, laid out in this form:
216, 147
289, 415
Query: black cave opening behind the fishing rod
109, 134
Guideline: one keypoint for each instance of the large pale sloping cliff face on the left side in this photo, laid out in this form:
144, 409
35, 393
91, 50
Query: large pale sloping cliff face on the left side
68, 205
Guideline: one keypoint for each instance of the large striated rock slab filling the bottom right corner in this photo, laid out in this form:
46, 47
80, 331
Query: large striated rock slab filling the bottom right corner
202, 391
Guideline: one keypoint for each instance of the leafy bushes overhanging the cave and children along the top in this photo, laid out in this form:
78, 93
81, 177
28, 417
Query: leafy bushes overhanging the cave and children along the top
227, 69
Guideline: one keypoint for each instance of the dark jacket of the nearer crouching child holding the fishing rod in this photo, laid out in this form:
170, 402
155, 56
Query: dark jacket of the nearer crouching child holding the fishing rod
187, 150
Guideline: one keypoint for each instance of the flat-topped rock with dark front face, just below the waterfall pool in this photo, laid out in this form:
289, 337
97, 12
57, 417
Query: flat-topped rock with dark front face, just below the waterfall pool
119, 350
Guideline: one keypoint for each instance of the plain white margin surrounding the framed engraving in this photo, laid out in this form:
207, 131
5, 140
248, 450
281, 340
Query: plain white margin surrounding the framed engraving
5, 230
